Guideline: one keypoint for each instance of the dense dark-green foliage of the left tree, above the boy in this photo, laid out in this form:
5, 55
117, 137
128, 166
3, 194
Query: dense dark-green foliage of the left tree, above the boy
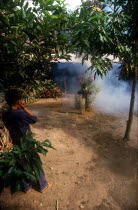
30, 37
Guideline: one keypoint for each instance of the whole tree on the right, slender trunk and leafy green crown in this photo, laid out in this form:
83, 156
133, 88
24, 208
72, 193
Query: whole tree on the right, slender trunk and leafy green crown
108, 28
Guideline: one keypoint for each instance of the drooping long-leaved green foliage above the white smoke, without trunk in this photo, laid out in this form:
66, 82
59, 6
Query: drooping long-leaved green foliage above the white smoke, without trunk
98, 32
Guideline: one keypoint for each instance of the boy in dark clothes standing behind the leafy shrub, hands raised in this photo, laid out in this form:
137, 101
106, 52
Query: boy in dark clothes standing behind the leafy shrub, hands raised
17, 120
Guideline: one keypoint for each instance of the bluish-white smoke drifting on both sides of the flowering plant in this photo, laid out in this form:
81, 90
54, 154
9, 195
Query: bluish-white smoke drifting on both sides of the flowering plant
114, 96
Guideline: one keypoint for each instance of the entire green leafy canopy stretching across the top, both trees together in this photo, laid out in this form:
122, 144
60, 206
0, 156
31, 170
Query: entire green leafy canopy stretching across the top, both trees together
31, 37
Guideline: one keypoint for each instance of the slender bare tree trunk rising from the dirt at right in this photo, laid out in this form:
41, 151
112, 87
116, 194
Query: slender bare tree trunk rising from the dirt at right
131, 109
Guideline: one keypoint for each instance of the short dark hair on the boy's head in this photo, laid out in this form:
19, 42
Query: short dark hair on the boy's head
12, 96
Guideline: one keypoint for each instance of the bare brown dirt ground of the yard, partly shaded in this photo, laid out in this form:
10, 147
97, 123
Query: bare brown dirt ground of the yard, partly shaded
91, 168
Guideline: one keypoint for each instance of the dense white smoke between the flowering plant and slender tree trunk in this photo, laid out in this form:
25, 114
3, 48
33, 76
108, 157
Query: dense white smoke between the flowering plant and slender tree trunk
114, 95
